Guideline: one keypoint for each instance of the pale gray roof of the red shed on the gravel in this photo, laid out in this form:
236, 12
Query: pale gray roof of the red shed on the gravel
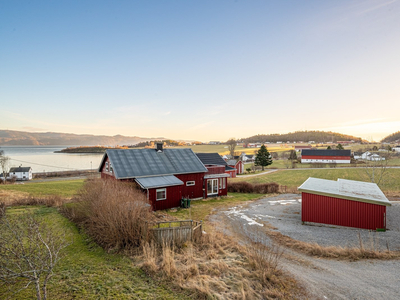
346, 189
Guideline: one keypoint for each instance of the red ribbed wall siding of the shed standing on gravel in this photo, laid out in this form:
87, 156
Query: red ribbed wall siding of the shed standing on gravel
342, 212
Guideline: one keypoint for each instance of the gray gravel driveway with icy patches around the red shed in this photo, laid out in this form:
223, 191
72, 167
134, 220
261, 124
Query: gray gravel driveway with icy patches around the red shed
323, 278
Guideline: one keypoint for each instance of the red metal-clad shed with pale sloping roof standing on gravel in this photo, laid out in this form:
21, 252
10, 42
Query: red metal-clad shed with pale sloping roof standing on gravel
344, 203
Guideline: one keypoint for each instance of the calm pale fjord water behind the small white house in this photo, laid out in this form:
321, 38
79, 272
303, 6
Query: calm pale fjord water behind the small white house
44, 158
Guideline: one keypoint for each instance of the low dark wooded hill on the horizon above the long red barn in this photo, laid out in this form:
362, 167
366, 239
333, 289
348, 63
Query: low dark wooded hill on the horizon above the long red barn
303, 136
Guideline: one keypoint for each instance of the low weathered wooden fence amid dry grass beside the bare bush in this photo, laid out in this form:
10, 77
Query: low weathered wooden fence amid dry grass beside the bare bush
176, 232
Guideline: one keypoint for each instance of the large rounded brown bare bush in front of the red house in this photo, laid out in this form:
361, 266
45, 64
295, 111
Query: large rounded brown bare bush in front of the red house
114, 213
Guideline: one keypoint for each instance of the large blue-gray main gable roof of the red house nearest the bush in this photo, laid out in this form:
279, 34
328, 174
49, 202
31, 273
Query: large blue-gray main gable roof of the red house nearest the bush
134, 163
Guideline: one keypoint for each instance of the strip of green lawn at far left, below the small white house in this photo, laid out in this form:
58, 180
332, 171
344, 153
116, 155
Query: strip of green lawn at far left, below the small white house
65, 188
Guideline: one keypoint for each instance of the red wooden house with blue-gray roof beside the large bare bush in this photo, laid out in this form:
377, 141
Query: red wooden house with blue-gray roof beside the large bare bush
165, 175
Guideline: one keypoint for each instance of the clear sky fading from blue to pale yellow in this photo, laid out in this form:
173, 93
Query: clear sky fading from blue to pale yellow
200, 70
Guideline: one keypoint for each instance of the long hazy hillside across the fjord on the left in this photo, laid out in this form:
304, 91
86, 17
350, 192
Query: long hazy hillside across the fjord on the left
21, 138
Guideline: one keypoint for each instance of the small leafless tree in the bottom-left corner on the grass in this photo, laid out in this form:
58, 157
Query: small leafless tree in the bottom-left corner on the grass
29, 250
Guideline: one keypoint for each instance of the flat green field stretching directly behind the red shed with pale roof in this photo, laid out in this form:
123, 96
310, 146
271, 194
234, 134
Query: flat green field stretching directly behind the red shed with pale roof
295, 178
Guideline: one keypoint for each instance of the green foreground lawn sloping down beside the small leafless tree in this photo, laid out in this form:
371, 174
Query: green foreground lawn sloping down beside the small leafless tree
88, 272
